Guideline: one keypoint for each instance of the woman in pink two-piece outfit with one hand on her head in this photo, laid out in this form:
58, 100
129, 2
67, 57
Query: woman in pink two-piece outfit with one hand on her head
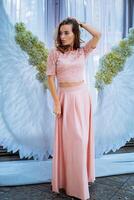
73, 157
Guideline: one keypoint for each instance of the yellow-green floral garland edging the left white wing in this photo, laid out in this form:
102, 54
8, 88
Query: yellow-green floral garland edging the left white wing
35, 49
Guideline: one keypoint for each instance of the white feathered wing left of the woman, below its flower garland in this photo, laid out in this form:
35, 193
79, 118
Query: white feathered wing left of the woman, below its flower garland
26, 121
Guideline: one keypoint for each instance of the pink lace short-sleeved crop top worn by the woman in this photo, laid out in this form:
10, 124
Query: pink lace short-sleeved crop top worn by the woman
68, 66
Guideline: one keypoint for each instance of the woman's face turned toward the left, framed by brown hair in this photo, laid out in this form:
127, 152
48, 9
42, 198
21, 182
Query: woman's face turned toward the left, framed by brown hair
66, 35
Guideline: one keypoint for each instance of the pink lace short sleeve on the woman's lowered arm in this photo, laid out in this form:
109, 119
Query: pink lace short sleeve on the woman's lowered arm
51, 62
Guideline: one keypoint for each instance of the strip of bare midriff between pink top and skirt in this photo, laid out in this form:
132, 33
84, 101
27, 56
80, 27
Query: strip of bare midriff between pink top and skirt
70, 83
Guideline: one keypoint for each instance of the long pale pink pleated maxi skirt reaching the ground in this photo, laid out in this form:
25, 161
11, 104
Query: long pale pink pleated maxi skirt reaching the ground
73, 163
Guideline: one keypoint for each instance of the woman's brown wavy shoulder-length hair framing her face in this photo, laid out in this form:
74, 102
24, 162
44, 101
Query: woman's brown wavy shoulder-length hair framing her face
75, 30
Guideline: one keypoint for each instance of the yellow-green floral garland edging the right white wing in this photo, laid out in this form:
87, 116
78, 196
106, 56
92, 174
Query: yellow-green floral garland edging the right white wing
112, 63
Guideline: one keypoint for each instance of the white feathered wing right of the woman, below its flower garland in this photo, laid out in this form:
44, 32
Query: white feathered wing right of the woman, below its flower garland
114, 116
